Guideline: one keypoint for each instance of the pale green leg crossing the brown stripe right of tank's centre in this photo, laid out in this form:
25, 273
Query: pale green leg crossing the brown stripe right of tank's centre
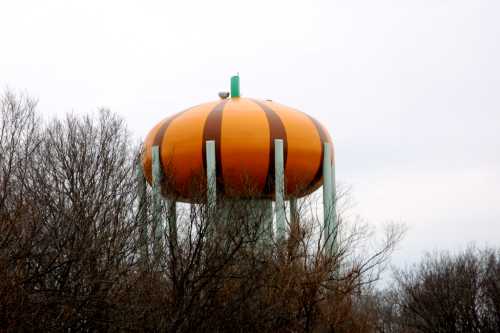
280, 189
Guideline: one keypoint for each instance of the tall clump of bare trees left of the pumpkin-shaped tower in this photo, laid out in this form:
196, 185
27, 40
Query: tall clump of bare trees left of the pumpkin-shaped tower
67, 216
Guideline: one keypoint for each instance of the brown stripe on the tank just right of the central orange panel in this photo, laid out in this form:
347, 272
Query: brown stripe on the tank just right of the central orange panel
276, 131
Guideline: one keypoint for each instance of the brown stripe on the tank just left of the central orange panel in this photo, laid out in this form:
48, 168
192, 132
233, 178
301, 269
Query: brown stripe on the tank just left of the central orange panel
212, 131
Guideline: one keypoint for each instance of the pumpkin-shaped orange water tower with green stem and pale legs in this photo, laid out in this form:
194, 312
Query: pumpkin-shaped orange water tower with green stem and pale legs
242, 148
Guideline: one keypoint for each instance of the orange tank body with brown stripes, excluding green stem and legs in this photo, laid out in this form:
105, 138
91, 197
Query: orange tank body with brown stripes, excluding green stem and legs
244, 131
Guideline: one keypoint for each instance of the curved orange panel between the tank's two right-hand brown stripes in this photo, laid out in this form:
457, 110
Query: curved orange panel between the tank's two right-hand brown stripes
304, 147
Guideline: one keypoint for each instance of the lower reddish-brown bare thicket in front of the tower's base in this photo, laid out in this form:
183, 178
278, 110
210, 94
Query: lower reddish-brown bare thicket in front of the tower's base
237, 278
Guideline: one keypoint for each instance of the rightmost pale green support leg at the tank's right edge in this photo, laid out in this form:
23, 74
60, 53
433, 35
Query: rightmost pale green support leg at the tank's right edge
328, 202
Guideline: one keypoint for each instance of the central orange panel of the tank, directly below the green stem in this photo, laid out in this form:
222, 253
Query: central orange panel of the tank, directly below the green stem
245, 145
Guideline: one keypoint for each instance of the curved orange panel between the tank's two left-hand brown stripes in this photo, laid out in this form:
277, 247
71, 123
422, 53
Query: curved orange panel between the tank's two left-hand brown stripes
181, 148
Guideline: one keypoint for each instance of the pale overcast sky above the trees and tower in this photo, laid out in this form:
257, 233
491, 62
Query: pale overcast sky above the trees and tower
409, 89
